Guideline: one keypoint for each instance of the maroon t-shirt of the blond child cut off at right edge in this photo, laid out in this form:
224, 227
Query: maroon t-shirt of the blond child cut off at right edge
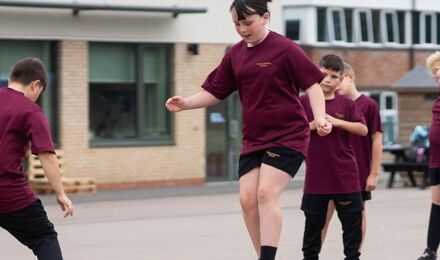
434, 136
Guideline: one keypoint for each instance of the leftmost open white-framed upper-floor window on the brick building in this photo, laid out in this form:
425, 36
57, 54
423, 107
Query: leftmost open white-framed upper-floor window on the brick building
336, 25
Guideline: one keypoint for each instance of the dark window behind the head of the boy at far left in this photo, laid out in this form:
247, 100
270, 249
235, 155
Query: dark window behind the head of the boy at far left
11, 51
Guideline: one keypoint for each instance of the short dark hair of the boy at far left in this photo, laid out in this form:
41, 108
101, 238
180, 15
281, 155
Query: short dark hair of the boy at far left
27, 70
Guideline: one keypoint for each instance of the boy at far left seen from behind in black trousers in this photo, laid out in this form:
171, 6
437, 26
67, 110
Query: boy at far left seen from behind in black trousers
22, 122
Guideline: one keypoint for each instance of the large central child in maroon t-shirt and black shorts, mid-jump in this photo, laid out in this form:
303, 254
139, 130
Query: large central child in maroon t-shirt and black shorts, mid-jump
267, 70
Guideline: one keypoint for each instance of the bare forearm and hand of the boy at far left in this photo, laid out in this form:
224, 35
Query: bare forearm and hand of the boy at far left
51, 168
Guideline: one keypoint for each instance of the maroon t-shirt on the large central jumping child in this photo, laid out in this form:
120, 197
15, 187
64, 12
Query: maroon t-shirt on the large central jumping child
268, 77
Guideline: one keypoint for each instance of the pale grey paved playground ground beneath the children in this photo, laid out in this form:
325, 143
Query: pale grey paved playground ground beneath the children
205, 223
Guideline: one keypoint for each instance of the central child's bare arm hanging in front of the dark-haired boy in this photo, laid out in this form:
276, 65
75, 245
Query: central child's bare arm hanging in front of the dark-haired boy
317, 103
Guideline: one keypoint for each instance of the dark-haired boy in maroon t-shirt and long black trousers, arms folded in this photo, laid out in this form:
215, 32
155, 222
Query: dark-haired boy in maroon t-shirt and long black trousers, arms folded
332, 172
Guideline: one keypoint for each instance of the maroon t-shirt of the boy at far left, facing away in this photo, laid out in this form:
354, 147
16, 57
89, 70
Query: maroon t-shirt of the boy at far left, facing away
21, 122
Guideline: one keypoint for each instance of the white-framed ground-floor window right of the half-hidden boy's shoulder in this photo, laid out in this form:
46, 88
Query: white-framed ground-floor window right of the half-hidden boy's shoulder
389, 114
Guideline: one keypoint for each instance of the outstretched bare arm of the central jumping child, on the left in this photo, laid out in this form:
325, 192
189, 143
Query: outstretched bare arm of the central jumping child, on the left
199, 100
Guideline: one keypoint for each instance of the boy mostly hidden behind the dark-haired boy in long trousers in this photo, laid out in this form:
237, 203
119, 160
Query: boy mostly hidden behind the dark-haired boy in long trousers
367, 149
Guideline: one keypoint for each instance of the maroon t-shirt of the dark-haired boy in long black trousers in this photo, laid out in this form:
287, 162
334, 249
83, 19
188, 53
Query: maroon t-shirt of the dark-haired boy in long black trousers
331, 164
